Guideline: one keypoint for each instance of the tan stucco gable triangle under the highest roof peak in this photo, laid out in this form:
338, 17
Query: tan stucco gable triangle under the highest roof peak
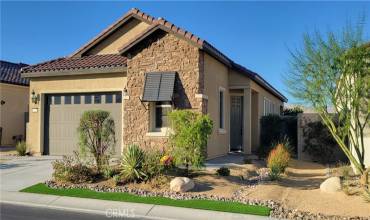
119, 38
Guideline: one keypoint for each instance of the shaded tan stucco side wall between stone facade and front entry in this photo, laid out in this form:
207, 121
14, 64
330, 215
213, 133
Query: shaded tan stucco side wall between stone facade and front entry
215, 76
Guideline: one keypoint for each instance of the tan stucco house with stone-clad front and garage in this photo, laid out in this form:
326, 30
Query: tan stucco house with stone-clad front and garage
140, 68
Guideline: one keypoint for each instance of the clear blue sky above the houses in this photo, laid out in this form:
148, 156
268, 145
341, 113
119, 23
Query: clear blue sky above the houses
257, 35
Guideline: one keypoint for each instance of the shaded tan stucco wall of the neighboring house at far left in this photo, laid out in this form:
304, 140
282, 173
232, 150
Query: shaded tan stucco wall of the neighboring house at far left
12, 112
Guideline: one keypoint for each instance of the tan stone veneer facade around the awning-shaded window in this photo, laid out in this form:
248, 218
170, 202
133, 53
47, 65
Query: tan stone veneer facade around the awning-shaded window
161, 52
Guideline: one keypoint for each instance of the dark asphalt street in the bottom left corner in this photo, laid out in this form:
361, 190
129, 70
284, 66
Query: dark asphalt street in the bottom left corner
19, 212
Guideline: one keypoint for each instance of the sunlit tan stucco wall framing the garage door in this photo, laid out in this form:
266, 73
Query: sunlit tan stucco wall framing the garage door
65, 84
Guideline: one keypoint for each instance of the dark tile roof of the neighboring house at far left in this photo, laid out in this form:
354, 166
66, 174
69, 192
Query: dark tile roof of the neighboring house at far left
9, 73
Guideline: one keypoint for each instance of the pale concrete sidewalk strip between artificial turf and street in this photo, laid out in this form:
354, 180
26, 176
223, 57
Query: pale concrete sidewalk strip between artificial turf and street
123, 209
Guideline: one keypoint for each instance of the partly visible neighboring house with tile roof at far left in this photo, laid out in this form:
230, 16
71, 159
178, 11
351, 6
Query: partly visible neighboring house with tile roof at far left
14, 93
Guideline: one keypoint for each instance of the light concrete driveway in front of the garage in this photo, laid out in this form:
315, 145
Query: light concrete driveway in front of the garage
21, 172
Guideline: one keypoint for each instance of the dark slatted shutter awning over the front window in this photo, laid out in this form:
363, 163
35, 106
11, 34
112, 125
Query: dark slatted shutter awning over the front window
159, 86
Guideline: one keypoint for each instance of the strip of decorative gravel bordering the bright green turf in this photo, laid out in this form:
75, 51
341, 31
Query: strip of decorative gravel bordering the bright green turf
278, 210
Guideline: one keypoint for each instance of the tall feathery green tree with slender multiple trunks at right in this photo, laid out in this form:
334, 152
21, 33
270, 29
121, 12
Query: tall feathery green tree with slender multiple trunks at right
333, 72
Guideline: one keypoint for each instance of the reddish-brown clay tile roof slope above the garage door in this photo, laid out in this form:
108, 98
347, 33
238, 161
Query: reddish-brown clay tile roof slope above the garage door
73, 63
